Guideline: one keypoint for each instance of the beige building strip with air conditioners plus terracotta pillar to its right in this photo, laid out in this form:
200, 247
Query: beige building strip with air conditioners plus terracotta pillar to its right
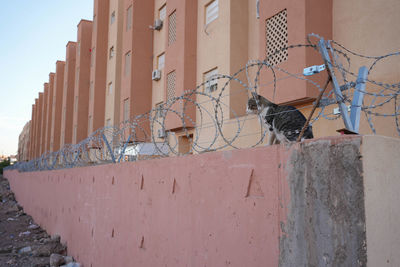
175, 46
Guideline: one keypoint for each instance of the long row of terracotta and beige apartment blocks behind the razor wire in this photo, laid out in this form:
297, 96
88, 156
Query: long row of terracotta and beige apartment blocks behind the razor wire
139, 55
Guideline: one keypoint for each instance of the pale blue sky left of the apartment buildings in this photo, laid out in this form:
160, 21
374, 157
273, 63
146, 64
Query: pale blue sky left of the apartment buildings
33, 36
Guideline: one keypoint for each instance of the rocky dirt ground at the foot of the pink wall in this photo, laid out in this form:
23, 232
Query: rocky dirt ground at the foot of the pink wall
22, 242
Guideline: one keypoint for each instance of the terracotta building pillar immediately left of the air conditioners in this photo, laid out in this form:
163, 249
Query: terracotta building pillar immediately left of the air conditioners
137, 43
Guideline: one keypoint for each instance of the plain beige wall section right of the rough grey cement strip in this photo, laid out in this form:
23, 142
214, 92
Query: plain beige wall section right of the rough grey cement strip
381, 184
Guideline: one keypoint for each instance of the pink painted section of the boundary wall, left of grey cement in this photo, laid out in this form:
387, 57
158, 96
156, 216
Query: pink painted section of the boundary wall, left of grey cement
214, 209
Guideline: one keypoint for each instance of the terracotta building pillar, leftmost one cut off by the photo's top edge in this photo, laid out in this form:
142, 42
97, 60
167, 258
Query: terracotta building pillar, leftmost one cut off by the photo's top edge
98, 65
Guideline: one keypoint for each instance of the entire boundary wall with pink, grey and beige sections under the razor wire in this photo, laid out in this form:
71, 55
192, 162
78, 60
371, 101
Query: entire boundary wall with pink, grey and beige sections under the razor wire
302, 205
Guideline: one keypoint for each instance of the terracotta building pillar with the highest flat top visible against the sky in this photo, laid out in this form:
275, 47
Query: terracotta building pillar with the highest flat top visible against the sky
82, 81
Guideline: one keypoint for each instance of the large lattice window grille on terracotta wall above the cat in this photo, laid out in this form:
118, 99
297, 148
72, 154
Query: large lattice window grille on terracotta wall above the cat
277, 38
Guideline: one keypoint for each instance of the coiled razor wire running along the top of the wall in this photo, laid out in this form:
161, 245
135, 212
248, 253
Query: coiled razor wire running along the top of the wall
202, 120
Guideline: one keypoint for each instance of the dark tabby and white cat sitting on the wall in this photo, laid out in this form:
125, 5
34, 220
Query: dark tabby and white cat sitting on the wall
283, 122
